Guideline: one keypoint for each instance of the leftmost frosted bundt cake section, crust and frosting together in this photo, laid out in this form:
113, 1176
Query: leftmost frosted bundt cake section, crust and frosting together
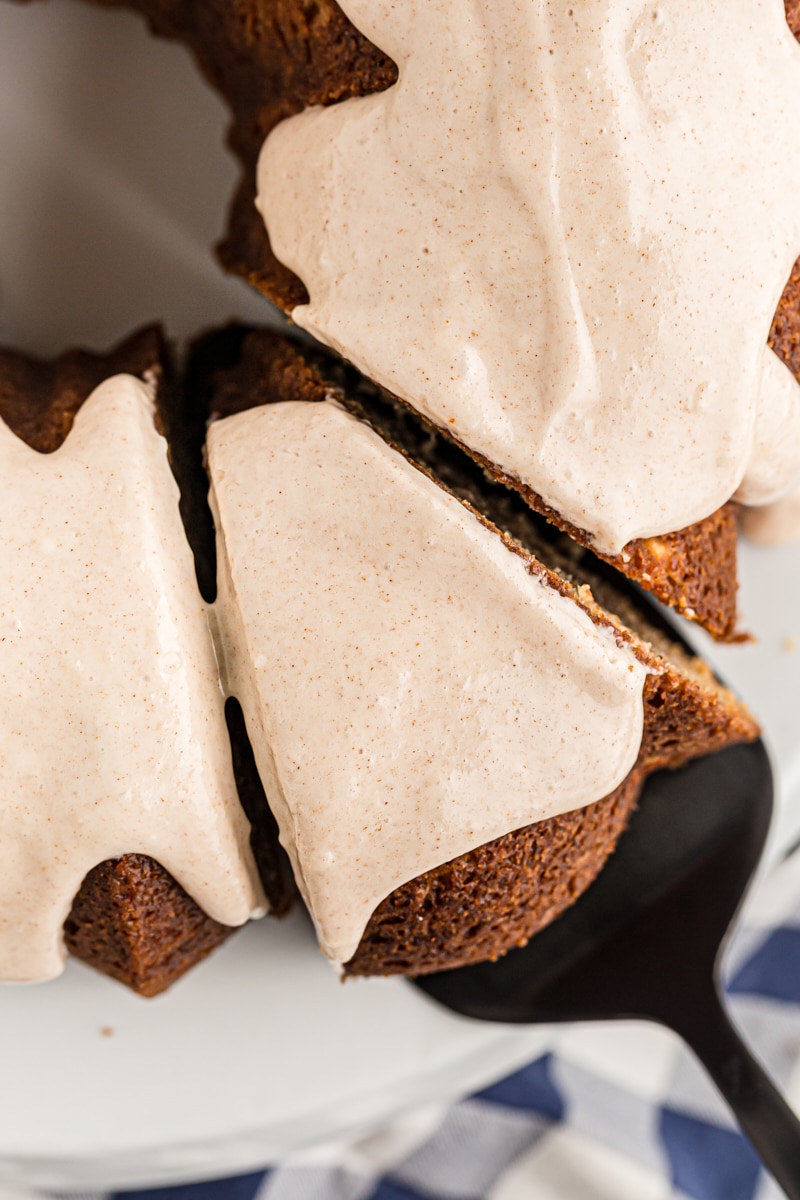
123, 837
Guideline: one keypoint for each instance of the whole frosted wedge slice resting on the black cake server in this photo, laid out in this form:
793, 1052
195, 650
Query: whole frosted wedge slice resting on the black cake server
453, 717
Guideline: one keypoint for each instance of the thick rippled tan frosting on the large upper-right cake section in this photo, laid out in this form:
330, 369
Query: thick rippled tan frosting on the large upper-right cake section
562, 236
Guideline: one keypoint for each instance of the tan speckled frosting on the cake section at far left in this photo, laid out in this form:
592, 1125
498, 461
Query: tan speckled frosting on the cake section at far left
113, 737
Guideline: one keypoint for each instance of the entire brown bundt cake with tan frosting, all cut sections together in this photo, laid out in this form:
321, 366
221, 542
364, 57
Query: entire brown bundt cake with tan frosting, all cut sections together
452, 707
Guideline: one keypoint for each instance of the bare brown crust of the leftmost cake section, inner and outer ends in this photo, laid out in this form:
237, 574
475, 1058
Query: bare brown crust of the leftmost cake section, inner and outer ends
130, 920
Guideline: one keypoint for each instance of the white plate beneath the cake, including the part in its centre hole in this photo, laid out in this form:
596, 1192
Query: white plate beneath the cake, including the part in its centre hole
113, 185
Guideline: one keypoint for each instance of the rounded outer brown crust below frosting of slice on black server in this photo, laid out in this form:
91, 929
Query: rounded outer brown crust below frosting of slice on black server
485, 903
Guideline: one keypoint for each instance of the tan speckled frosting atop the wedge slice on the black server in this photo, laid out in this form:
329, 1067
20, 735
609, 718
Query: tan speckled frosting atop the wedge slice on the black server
412, 691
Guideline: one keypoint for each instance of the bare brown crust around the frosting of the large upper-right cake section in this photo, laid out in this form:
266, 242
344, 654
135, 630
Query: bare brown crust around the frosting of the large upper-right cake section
273, 58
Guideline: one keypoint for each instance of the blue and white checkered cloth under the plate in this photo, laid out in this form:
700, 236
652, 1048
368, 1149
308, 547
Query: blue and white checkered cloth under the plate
612, 1112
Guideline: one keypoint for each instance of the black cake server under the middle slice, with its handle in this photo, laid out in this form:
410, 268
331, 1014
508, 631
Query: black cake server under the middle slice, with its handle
646, 940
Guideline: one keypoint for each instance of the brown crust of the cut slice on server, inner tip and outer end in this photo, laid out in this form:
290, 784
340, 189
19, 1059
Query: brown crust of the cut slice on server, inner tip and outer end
483, 904
